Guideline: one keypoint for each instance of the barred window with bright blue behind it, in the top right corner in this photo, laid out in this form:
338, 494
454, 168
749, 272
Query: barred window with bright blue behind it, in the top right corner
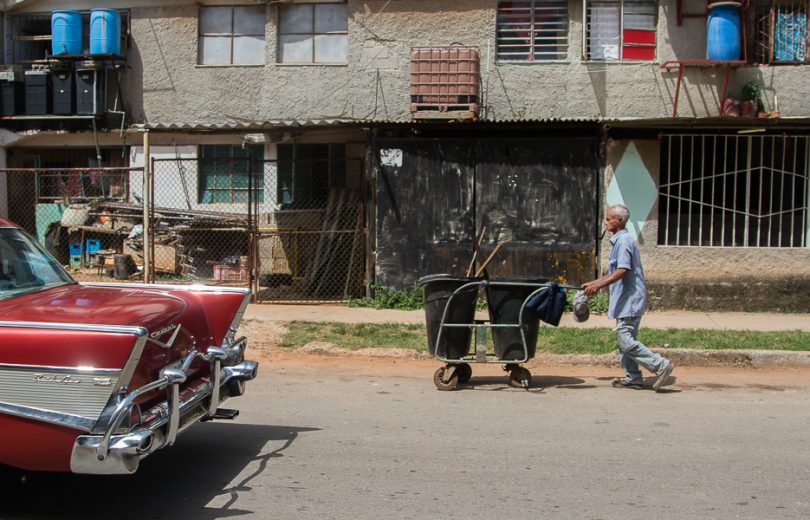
780, 31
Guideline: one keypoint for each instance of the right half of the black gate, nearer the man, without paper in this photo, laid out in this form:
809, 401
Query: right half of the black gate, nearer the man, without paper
538, 199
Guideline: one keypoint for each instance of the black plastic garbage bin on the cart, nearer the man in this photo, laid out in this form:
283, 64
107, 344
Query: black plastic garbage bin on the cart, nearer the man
505, 299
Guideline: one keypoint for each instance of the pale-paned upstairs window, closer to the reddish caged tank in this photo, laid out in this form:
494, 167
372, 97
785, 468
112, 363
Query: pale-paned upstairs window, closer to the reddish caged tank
313, 33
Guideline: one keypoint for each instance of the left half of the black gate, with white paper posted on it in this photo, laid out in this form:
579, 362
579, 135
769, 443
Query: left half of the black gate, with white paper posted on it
424, 209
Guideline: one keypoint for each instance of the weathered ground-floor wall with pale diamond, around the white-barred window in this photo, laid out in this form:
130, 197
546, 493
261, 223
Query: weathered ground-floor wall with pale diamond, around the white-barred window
743, 278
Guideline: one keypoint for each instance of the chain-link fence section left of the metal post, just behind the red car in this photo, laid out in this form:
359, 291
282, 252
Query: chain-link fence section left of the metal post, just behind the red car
83, 216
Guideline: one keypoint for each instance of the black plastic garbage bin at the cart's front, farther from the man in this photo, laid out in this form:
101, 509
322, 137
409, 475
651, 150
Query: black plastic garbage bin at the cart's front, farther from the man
455, 341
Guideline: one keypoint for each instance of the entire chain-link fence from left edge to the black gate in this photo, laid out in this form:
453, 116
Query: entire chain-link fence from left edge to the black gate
289, 229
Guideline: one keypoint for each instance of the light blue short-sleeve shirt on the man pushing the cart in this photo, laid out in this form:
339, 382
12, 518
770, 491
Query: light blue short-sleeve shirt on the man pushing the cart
628, 296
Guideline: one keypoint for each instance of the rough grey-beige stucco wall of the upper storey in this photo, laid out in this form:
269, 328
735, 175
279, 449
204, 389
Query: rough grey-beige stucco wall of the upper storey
165, 83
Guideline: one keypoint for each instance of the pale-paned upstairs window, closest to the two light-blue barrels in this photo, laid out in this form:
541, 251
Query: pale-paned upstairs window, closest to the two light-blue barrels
232, 35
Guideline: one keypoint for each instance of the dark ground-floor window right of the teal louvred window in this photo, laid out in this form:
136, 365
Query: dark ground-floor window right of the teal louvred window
306, 173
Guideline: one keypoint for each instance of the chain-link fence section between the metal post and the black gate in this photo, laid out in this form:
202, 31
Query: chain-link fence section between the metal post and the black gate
291, 229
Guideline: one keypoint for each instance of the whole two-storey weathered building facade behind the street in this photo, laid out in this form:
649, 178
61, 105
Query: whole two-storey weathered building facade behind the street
423, 128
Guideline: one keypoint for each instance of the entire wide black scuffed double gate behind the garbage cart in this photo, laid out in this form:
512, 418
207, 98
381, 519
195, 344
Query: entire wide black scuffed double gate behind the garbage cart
537, 197
